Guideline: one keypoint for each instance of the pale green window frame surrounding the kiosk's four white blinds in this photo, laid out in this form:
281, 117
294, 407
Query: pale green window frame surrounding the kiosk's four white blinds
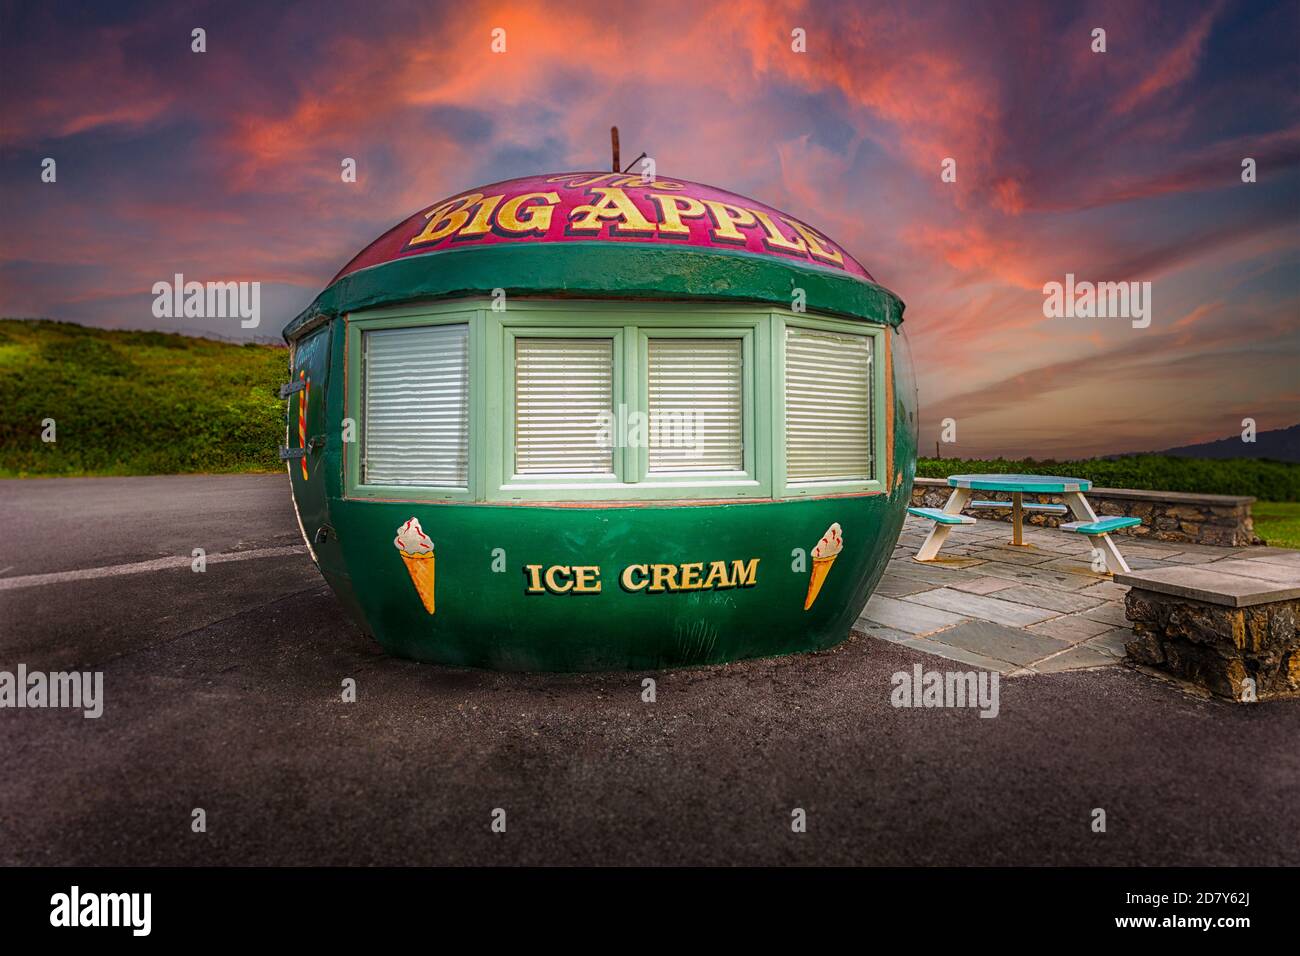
492, 336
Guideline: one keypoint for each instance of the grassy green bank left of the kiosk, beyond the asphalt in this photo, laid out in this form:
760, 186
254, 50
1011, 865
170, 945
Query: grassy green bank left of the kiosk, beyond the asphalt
136, 403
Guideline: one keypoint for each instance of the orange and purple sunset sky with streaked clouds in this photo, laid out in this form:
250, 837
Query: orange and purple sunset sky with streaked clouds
1124, 166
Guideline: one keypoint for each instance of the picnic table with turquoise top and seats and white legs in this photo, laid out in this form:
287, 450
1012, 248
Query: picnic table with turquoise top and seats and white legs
1019, 486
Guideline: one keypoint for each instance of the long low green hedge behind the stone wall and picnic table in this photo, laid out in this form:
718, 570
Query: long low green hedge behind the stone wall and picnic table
1262, 479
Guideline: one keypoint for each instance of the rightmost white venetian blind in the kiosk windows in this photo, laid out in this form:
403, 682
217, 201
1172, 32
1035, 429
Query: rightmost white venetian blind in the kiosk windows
827, 406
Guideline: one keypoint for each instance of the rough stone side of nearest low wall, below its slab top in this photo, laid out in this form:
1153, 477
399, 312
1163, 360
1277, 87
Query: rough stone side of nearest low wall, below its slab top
1217, 647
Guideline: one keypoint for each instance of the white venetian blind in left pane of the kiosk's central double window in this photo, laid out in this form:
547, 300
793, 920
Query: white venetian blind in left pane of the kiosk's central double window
564, 401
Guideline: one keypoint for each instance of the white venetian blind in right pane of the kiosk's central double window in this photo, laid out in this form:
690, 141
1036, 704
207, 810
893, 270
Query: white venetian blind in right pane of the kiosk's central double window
695, 405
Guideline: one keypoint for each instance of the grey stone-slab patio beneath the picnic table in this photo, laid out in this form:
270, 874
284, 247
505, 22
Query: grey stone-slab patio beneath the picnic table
1039, 609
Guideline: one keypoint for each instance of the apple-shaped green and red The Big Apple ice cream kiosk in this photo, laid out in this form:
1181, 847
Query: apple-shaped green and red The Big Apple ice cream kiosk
601, 422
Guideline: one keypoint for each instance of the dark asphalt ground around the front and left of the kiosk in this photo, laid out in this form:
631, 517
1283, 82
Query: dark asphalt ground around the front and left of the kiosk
223, 693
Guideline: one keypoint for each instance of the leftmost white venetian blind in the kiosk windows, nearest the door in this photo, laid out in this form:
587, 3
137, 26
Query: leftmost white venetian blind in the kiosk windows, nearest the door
417, 426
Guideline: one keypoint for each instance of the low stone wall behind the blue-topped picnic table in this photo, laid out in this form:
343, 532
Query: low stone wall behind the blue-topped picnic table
1206, 520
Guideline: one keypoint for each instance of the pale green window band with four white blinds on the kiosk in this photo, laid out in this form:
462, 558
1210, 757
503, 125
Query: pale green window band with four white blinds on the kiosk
569, 401
